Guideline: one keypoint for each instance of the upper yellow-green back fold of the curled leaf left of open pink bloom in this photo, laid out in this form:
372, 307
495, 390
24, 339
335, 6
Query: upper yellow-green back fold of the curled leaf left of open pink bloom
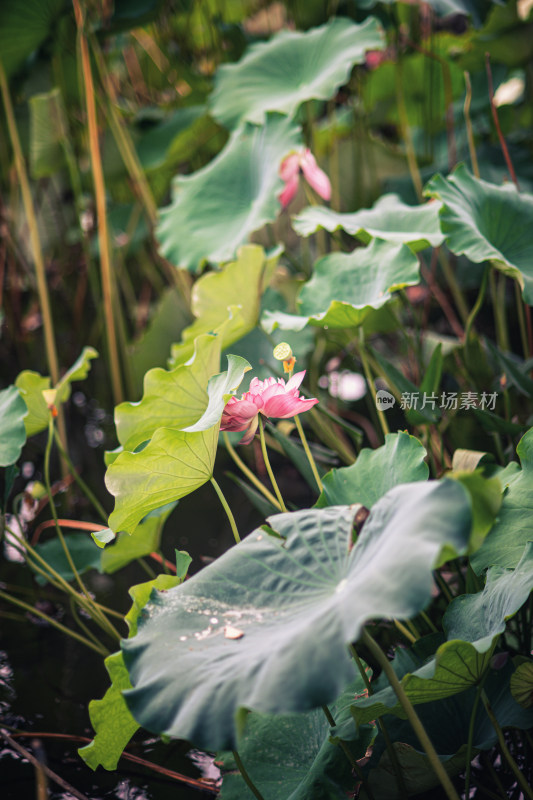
171, 399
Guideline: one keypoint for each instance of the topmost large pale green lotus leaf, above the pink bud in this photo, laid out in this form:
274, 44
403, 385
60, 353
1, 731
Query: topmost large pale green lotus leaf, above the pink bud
291, 68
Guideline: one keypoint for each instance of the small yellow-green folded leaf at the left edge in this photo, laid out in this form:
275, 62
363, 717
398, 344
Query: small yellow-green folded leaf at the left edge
31, 386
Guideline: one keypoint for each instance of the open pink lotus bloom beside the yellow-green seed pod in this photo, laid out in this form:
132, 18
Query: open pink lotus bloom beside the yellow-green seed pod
272, 398
